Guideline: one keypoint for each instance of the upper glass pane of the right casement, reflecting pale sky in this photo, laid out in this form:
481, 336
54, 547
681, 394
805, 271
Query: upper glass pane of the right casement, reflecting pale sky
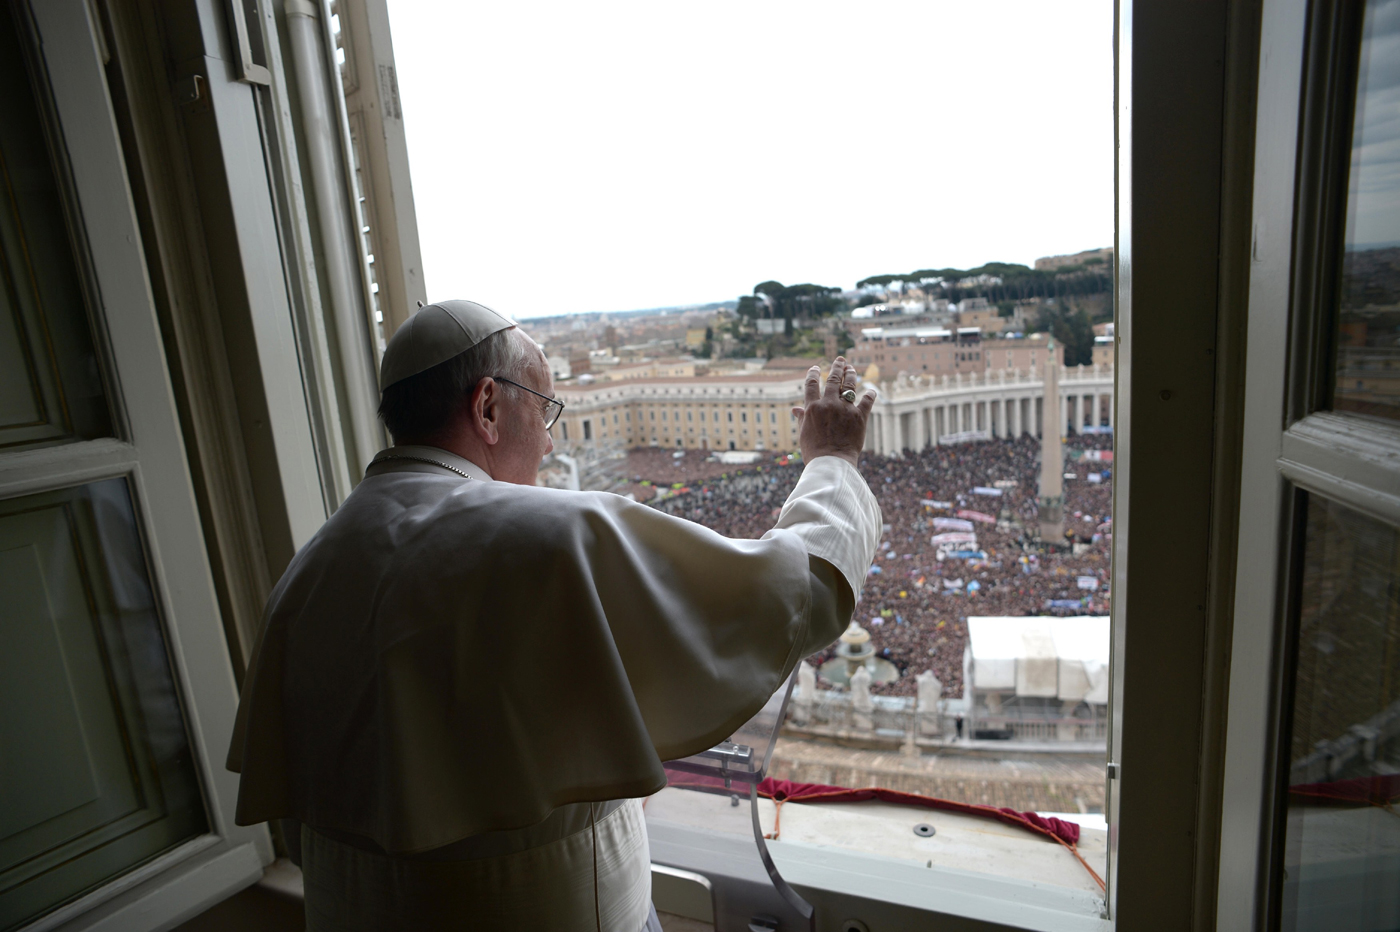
1368, 341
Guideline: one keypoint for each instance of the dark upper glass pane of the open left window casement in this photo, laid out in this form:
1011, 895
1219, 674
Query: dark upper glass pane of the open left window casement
51, 384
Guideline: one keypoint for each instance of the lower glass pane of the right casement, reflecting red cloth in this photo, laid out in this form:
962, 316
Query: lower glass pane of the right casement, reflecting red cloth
1342, 859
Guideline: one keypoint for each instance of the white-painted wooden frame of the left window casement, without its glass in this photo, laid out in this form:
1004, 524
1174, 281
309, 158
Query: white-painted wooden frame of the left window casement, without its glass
149, 454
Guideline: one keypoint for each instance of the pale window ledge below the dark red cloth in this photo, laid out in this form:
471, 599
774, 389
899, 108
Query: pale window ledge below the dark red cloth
853, 853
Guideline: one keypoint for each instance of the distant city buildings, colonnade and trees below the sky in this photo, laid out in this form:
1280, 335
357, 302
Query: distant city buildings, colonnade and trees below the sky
724, 376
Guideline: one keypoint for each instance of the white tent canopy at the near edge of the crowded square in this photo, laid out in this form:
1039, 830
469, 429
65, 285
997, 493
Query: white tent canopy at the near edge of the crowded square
1037, 657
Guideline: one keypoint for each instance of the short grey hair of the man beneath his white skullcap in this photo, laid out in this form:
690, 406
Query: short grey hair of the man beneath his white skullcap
422, 407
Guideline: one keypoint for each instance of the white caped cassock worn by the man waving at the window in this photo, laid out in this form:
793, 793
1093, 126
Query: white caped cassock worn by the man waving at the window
464, 688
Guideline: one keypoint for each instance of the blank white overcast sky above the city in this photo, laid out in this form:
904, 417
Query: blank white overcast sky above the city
615, 156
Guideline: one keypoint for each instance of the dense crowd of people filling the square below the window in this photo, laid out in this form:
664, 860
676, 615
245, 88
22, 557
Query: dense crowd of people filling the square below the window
920, 591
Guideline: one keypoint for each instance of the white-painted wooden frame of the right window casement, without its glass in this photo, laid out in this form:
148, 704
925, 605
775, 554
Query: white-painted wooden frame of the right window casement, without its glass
1291, 446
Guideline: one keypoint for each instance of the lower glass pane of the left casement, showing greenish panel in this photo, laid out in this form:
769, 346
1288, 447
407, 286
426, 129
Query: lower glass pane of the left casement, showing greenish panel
96, 768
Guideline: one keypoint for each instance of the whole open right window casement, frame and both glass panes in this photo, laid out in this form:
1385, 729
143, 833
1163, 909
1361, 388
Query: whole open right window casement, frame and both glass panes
1319, 597
